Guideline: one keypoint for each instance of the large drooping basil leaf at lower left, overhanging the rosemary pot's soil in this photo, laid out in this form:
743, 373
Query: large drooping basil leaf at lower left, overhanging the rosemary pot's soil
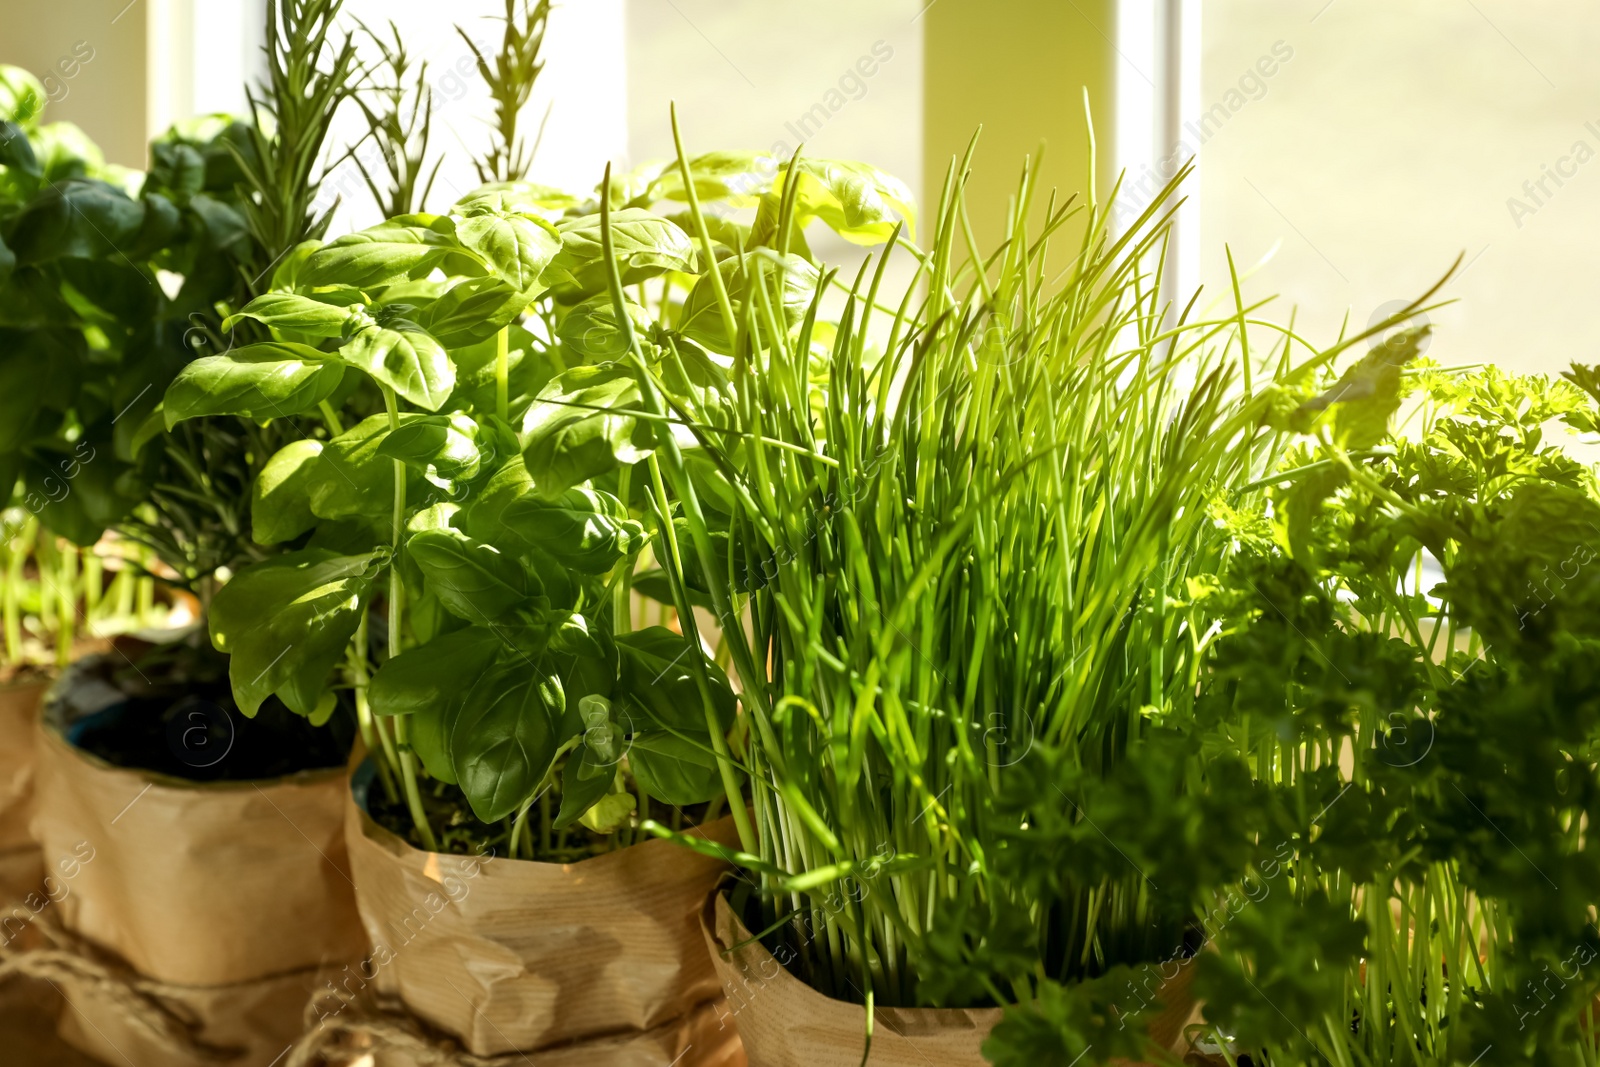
286, 625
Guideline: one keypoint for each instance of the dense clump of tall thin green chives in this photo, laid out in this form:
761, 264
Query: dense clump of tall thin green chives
951, 561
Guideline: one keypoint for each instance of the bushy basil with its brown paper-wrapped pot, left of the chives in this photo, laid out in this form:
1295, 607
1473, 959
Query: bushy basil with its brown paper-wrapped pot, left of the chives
494, 596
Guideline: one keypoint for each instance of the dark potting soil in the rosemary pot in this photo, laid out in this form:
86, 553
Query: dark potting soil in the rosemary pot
180, 719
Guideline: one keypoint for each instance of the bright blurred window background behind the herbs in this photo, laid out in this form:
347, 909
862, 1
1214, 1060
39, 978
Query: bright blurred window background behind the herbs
1348, 151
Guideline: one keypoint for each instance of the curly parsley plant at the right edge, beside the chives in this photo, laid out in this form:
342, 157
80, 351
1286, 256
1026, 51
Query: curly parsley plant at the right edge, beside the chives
1407, 661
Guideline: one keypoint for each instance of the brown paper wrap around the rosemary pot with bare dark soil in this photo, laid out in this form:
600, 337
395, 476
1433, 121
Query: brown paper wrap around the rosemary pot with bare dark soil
198, 885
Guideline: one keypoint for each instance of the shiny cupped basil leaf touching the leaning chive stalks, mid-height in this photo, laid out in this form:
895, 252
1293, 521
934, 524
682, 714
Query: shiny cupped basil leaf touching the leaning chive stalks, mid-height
583, 426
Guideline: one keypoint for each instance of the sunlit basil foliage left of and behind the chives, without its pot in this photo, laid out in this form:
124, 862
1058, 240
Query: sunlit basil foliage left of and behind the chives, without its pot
510, 502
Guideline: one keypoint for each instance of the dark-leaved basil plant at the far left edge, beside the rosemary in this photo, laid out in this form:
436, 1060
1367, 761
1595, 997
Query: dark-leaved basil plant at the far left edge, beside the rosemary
100, 271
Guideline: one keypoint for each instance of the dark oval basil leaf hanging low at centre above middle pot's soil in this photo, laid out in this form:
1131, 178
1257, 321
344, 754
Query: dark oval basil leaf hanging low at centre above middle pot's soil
506, 737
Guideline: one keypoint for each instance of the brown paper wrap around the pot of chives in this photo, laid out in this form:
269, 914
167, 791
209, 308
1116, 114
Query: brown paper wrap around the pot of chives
785, 1023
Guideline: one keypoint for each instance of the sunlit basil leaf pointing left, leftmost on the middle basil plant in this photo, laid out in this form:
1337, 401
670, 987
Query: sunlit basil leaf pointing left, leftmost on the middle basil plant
262, 382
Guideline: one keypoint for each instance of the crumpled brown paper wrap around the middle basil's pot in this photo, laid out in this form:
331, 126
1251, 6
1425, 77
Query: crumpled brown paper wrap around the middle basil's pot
514, 956
